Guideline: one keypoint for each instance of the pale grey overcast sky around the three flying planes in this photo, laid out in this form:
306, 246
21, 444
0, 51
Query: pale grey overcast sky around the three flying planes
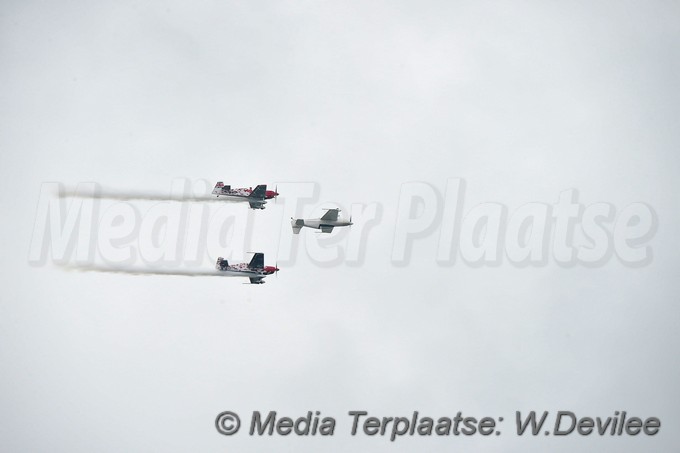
354, 103
